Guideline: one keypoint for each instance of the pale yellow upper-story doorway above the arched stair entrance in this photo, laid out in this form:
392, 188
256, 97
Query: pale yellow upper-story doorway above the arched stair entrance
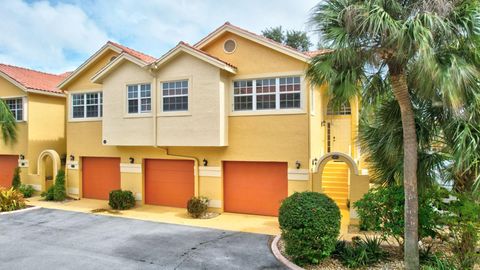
338, 123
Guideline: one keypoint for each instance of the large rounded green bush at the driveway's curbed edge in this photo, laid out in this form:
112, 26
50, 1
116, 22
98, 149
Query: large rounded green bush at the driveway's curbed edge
310, 224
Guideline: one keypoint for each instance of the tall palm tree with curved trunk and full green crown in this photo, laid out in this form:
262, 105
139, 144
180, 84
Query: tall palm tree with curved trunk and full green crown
399, 41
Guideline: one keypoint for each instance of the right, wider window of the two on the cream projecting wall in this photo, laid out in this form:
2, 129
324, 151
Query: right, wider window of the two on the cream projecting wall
175, 96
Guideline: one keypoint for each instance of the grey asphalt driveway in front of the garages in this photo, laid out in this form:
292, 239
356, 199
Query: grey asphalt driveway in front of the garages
55, 239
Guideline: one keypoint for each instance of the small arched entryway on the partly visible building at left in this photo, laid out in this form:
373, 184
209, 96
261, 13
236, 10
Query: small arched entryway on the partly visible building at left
48, 165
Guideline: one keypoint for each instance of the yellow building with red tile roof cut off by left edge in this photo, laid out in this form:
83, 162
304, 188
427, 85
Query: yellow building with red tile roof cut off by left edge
39, 108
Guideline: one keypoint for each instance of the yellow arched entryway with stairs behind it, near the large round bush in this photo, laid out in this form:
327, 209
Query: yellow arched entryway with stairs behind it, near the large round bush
335, 171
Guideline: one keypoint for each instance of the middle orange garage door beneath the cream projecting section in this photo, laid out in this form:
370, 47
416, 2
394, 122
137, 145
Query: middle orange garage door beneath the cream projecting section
169, 182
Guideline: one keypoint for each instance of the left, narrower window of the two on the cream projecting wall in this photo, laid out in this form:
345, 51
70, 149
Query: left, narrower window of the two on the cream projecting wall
139, 98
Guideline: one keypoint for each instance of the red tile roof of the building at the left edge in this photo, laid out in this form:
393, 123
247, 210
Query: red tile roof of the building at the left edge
32, 79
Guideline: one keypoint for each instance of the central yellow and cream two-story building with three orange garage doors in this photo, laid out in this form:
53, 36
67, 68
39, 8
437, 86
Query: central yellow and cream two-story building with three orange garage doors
231, 118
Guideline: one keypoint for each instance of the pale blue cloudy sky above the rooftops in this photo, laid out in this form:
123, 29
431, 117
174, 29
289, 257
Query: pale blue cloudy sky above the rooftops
57, 36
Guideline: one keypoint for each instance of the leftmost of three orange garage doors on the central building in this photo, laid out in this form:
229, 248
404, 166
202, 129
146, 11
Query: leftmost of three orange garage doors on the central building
100, 175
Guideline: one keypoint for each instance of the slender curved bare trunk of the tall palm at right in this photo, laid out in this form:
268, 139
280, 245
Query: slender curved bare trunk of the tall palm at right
410, 159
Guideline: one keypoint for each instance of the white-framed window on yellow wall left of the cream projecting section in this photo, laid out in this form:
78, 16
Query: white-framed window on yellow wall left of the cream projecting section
87, 105
